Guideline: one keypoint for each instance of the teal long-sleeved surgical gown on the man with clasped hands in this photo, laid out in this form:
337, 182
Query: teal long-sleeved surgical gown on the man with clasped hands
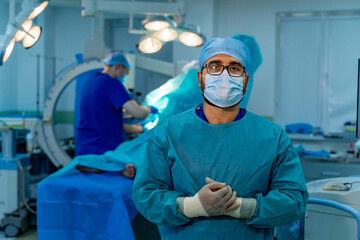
252, 155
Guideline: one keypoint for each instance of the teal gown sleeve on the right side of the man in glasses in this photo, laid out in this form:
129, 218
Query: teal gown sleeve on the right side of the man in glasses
287, 196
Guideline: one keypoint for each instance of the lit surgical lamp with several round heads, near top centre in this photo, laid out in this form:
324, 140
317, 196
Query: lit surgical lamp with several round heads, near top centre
166, 30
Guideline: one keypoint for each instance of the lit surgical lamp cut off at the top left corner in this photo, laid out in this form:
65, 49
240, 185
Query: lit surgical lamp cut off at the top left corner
21, 27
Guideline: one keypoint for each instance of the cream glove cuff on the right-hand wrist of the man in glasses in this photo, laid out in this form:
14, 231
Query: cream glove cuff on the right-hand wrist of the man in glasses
245, 210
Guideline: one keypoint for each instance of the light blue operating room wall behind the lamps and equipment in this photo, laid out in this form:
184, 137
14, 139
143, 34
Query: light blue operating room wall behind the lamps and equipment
65, 31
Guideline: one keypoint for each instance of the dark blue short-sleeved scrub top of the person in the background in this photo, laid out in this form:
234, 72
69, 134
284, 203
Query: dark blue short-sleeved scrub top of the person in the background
101, 119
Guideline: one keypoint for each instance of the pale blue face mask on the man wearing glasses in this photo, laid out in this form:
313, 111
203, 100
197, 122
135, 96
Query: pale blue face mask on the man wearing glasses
223, 90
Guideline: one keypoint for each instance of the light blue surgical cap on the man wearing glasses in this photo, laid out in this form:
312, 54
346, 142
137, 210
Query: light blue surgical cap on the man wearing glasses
228, 46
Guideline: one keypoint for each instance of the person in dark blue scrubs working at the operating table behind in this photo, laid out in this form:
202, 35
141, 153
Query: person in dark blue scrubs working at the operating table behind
104, 97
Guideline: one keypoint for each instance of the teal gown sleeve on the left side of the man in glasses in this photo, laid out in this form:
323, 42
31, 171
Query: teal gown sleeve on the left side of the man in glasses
153, 192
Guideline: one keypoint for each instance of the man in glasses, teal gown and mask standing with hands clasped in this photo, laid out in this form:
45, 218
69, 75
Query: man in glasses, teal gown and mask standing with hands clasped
219, 171
